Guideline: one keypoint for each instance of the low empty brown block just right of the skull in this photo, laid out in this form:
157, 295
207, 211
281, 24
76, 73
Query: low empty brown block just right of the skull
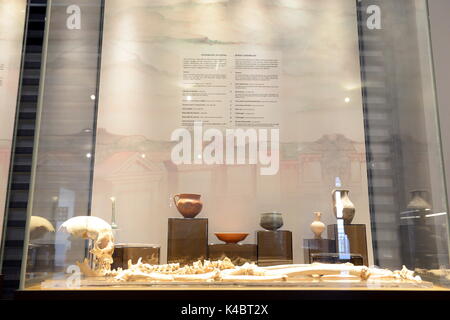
133, 251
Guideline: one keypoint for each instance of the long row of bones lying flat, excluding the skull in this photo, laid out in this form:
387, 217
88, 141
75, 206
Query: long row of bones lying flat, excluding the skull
225, 271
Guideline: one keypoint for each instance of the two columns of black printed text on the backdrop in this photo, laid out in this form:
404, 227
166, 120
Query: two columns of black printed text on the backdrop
231, 90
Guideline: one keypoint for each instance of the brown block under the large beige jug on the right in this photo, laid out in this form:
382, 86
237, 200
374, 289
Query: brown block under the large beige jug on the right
357, 239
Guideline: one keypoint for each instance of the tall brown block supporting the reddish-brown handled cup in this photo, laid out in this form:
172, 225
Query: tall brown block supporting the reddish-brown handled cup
187, 240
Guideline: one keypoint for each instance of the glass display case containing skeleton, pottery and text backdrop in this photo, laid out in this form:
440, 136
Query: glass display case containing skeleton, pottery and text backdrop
233, 144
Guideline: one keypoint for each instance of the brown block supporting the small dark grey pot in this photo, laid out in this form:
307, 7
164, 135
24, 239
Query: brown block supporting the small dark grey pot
274, 247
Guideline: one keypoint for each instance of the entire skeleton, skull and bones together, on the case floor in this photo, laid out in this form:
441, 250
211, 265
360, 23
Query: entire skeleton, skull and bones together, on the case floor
100, 232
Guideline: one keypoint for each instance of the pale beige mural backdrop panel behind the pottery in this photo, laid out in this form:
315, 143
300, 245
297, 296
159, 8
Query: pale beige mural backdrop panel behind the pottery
164, 60
